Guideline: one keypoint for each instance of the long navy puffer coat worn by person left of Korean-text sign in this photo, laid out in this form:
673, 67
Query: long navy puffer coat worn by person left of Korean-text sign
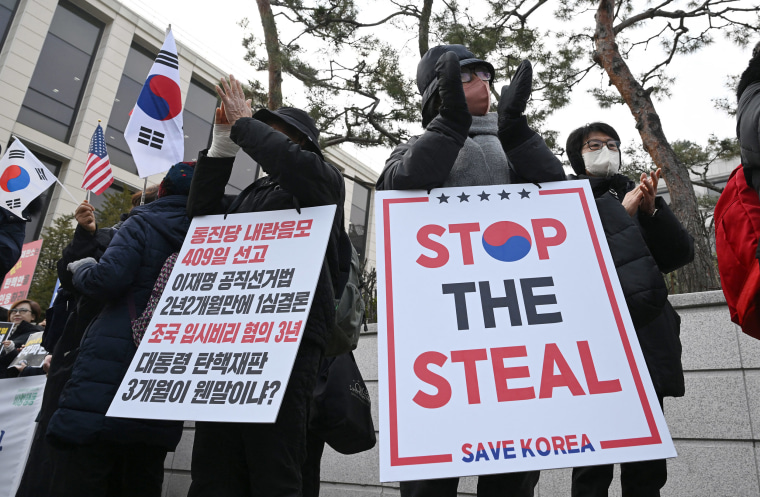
125, 274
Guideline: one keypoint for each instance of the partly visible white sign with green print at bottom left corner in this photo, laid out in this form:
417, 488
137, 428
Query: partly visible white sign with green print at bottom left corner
20, 400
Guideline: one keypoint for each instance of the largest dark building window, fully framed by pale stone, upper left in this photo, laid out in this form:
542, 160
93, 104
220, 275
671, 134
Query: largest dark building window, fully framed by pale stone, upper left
59, 79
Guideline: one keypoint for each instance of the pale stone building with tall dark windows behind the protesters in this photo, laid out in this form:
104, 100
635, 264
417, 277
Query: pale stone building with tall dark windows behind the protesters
65, 65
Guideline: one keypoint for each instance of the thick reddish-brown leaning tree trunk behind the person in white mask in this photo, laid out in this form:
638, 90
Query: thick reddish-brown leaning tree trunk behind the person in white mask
700, 275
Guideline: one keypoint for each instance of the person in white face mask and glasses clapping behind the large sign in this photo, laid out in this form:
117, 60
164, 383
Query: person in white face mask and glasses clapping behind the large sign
645, 240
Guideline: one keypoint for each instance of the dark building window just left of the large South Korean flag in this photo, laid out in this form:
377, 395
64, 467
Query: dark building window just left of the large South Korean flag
136, 69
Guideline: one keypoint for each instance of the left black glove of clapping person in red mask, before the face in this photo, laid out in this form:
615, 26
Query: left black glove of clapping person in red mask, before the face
453, 103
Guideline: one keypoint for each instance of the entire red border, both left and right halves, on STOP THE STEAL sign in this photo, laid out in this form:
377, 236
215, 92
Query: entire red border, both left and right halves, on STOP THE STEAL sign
396, 460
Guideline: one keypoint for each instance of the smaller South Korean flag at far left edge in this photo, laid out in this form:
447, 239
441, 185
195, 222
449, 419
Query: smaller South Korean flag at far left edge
22, 178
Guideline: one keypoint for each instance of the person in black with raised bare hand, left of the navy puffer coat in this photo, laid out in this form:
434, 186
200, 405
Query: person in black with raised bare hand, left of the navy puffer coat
69, 317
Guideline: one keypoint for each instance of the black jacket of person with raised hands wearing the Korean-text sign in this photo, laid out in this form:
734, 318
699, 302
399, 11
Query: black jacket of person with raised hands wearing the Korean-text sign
296, 178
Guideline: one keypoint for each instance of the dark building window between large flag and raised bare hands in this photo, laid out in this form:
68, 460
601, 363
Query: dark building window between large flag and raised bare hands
198, 119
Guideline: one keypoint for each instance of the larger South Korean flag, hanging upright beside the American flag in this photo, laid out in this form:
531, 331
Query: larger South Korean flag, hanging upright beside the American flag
154, 132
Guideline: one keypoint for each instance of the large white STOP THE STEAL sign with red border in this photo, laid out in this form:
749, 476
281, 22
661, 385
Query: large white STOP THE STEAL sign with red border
505, 340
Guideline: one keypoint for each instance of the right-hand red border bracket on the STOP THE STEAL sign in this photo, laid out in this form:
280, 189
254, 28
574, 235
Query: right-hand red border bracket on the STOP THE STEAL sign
654, 434
